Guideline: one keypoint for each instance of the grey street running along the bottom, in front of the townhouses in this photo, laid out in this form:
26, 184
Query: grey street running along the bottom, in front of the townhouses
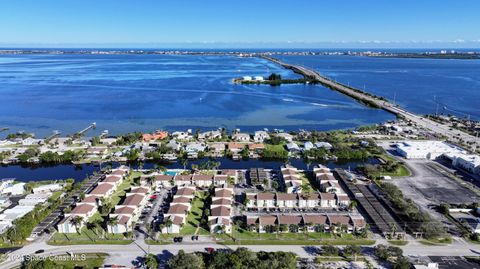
124, 254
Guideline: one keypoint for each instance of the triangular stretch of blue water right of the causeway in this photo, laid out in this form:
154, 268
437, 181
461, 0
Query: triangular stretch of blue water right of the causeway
416, 84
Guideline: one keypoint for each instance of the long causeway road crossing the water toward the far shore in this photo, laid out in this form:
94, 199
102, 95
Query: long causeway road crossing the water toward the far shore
438, 128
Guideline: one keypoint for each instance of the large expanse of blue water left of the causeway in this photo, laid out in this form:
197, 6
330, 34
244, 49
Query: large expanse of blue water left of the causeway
123, 93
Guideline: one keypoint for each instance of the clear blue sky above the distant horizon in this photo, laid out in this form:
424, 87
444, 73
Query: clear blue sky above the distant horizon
247, 23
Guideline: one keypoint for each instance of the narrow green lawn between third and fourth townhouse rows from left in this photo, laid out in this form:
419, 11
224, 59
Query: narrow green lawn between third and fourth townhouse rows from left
195, 215
